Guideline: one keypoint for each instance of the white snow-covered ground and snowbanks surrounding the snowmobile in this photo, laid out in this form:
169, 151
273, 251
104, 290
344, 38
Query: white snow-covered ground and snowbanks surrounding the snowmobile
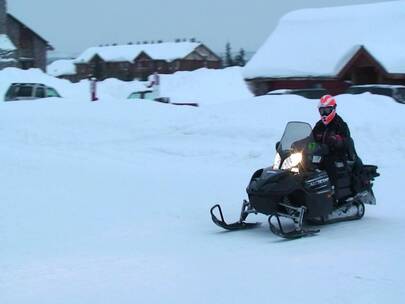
108, 202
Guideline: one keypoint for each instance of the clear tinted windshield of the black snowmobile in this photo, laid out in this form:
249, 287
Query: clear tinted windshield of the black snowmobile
294, 133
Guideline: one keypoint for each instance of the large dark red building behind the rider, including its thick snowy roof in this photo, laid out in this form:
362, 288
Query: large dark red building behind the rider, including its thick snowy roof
332, 48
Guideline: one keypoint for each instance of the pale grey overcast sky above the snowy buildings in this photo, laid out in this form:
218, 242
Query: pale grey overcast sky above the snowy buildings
73, 25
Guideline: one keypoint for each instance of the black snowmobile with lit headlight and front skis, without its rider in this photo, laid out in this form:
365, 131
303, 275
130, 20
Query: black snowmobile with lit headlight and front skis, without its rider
296, 193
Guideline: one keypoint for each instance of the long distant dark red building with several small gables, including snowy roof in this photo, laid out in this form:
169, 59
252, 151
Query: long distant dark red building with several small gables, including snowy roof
129, 62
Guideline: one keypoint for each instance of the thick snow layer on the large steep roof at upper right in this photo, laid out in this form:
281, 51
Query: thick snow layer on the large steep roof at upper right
320, 42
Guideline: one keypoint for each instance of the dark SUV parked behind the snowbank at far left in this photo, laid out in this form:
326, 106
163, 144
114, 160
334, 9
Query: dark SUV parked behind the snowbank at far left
28, 91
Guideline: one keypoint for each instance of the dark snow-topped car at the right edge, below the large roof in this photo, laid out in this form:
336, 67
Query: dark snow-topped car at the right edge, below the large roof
397, 92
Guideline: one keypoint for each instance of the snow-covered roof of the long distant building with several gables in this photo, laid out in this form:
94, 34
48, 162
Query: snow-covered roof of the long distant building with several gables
168, 51
